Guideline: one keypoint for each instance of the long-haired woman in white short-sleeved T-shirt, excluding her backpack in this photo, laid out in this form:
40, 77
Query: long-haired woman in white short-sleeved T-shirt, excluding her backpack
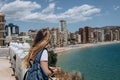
41, 40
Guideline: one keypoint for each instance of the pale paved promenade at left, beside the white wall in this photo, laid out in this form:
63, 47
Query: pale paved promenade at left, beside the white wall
5, 71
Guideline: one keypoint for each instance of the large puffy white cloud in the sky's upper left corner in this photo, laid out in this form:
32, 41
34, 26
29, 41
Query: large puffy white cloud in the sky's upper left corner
19, 9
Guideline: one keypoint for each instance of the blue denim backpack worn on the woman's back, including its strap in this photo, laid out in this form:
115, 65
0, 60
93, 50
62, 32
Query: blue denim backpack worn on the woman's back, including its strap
35, 72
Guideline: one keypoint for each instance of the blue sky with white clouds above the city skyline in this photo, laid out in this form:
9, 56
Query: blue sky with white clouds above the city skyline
37, 14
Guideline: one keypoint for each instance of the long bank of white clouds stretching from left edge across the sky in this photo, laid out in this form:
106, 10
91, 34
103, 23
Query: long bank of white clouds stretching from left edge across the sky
30, 11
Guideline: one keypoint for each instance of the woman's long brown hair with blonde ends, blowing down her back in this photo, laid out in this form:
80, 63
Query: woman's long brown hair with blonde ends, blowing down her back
41, 39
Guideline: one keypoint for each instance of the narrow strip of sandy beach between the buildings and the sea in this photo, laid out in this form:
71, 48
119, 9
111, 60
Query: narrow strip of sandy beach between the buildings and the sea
59, 50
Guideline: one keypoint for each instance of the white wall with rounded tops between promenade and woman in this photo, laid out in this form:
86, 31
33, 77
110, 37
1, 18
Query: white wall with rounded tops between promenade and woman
17, 52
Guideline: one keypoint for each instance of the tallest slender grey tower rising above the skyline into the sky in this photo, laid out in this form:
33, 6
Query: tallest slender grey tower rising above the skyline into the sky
64, 31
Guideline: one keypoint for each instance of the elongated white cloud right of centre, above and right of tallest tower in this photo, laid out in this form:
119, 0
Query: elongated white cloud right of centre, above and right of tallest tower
79, 13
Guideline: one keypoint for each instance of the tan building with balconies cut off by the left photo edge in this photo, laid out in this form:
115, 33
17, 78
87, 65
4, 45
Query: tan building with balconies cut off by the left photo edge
2, 31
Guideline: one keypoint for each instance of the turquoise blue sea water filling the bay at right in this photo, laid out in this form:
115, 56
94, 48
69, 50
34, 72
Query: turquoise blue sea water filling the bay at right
95, 63
